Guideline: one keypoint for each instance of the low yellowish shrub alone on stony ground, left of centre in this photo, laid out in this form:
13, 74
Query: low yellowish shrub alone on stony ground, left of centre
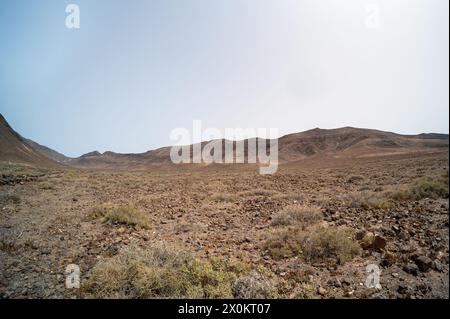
120, 214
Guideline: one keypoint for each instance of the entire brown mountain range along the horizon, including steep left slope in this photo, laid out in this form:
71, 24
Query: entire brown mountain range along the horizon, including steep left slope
346, 142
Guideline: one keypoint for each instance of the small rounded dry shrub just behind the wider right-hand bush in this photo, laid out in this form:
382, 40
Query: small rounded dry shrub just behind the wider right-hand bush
297, 215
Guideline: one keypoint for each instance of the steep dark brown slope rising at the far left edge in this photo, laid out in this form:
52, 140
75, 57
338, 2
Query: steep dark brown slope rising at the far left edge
14, 148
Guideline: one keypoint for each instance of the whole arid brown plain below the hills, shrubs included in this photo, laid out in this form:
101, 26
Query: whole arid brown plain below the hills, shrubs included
308, 231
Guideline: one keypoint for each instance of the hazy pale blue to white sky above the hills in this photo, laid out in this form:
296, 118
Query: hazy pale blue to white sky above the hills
137, 69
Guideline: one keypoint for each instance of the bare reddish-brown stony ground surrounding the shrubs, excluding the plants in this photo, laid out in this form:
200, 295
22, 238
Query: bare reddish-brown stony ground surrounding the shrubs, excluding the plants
45, 222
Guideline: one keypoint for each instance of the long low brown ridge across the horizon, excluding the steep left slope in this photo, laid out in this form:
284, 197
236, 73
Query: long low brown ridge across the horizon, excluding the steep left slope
339, 143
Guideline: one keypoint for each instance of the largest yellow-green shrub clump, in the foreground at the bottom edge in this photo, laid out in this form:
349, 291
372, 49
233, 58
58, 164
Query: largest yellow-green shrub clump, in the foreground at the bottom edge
160, 272
